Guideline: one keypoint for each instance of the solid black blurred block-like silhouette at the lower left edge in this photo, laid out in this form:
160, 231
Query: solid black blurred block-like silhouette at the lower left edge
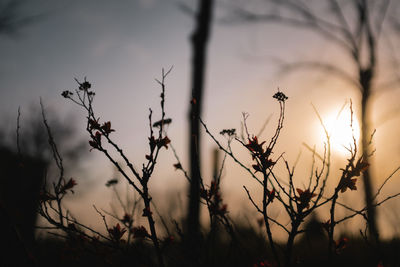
20, 182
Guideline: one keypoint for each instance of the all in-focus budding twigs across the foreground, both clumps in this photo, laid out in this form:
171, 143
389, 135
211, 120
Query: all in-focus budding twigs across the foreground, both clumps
298, 202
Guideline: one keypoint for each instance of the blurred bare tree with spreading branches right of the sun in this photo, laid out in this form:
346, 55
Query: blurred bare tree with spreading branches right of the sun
355, 28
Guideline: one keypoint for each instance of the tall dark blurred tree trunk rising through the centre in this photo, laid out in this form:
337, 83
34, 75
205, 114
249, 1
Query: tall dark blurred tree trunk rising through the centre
199, 41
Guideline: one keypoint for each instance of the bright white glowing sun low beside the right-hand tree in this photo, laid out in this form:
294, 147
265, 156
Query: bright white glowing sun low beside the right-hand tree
341, 128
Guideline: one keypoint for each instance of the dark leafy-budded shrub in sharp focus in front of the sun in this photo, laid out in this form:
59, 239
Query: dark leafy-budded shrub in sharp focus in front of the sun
297, 202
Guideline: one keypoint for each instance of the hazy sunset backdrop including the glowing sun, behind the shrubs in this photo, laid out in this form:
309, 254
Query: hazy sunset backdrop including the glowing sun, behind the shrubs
121, 48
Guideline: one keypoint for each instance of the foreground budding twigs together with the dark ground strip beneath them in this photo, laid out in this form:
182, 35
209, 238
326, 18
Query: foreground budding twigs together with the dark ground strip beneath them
226, 241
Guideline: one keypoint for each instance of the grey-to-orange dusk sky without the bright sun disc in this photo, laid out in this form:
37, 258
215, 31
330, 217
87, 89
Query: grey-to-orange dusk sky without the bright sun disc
121, 48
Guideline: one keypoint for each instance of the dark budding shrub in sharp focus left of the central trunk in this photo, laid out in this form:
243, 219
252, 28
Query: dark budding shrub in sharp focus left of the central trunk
100, 134
